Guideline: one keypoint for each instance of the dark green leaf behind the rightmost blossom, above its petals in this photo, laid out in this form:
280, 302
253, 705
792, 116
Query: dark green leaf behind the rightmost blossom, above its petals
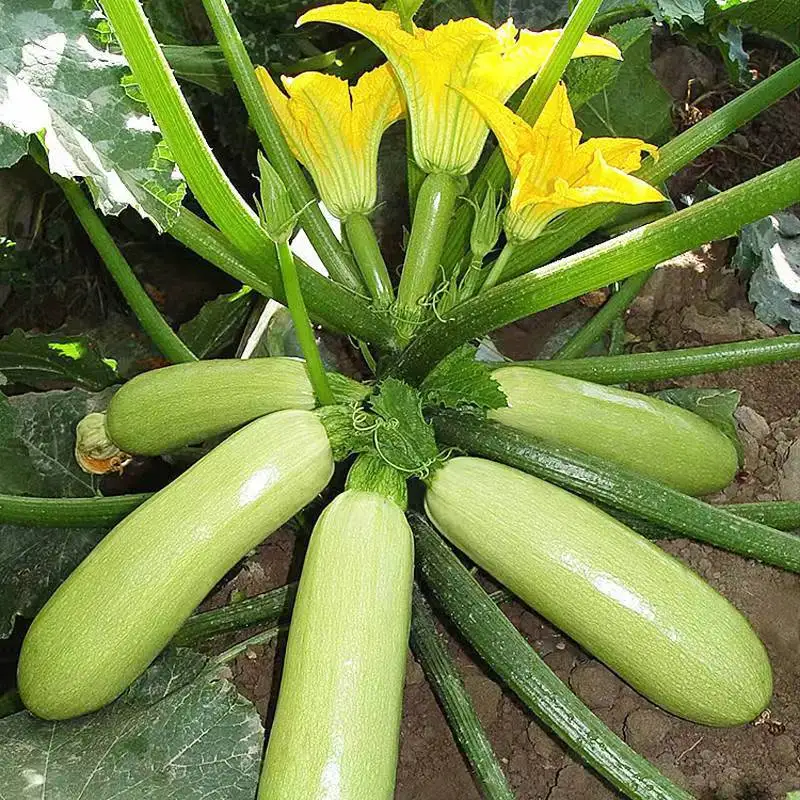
634, 104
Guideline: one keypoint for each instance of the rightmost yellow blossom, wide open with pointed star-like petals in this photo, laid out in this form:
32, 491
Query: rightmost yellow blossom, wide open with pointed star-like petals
552, 171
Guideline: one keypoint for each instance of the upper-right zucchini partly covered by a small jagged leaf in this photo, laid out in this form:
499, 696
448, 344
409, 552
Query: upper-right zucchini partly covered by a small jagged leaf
650, 436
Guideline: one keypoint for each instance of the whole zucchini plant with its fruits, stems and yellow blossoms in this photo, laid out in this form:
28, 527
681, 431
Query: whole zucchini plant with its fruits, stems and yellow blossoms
524, 469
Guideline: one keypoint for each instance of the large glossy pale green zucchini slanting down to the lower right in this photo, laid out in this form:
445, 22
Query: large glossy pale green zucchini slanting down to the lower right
624, 600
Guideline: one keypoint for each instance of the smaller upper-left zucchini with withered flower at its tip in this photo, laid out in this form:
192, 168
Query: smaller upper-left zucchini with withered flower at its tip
168, 408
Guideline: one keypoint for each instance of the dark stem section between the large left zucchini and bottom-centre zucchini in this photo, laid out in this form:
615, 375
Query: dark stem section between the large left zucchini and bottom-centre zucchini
265, 609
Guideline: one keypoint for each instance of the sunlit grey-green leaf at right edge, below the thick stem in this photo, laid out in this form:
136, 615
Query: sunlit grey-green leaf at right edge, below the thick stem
769, 255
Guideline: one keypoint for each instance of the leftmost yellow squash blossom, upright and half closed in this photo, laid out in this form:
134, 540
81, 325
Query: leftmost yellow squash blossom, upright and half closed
334, 130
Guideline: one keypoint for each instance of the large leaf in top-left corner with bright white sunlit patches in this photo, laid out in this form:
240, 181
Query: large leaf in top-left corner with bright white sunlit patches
58, 85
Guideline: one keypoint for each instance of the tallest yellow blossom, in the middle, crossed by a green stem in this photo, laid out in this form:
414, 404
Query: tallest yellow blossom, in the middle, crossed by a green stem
447, 133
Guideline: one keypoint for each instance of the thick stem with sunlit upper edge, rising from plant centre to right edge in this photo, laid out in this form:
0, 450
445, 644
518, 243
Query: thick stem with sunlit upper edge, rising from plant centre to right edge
606, 263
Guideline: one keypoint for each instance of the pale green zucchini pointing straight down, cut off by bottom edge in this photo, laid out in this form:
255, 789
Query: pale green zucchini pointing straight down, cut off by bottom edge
337, 722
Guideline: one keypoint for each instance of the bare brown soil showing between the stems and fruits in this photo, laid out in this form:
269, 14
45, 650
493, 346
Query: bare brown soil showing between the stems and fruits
696, 300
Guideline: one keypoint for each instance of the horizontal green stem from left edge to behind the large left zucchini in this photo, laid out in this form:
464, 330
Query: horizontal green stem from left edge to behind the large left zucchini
67, 512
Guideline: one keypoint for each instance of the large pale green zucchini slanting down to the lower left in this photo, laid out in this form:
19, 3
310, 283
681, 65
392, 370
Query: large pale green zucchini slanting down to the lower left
128, 597
